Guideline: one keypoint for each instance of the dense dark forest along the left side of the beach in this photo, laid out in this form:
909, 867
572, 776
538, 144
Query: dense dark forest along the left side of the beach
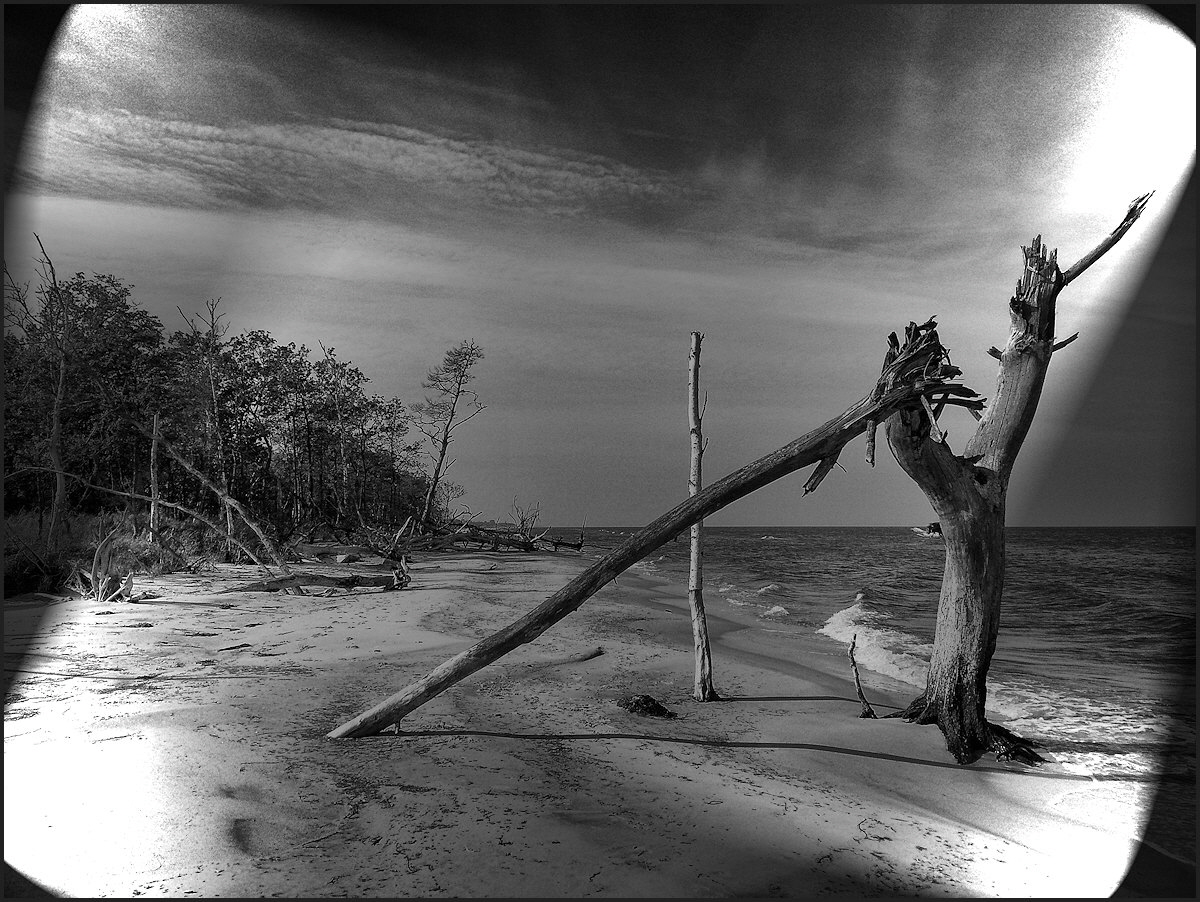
200, 443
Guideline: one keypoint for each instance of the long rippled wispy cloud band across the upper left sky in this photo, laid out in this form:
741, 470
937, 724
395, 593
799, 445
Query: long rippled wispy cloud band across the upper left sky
344, 165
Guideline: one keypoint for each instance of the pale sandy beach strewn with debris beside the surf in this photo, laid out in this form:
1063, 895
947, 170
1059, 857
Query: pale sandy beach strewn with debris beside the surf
177, 747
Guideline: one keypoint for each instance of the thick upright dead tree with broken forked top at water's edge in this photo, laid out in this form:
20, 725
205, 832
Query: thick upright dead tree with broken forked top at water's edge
969, 492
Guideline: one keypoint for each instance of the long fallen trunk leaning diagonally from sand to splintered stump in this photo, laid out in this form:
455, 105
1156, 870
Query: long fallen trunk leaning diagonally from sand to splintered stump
921, 370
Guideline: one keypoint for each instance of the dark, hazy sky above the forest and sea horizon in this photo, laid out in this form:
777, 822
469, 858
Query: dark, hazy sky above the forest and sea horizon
578, 189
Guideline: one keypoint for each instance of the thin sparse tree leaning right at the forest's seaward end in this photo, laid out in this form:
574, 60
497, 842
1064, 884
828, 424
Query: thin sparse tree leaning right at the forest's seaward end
441, 414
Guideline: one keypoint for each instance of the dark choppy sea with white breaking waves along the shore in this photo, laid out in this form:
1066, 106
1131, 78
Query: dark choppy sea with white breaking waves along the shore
1096, 654
